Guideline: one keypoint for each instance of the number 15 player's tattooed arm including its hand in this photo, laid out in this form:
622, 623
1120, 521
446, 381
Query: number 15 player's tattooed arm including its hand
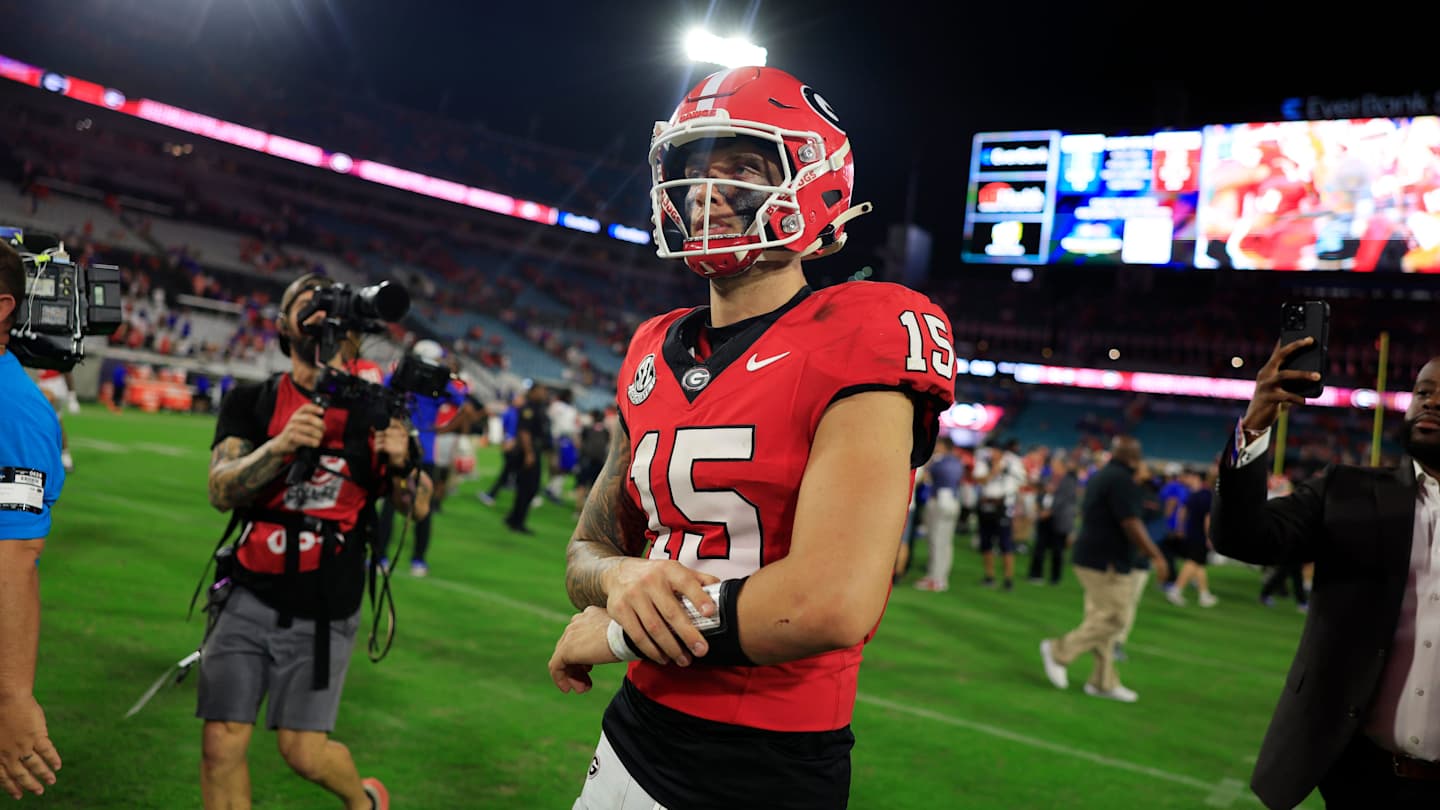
604, 567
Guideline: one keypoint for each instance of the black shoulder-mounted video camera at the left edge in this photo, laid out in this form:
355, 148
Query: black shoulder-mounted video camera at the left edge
63, 305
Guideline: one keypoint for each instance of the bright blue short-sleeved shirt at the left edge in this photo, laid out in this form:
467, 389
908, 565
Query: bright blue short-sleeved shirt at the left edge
31, 471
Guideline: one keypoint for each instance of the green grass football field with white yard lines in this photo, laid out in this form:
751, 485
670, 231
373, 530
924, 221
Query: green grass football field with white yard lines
954, 708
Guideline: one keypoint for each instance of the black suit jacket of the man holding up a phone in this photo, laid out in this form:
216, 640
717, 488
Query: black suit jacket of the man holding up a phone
1357, 525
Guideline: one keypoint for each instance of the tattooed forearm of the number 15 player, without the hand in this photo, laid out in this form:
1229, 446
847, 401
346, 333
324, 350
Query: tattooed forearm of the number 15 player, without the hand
611, 528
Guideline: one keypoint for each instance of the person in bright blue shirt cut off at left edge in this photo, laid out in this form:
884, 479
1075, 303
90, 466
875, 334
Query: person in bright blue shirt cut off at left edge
31, 481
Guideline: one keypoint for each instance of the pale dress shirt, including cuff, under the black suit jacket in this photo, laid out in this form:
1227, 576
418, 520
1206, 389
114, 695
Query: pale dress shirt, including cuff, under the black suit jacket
1406, 713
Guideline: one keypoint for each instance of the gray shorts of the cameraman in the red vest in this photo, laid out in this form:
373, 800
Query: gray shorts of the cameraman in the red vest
250, 655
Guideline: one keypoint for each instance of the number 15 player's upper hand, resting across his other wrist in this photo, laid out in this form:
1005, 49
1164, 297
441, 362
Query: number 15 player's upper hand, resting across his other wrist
644, 597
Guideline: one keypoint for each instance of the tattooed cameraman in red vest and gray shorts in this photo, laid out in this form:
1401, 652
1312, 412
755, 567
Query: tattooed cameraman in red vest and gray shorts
299, 567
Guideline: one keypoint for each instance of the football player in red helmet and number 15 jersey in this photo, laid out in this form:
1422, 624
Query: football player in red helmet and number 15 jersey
738, 546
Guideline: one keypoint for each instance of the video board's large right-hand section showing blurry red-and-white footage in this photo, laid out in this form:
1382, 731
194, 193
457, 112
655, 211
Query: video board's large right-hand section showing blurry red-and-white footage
1359, 195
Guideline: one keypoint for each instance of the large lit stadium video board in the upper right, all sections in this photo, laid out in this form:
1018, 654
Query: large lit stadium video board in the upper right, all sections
1349, 195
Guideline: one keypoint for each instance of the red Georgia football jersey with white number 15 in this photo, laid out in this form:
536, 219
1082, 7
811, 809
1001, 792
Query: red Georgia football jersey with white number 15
719, 449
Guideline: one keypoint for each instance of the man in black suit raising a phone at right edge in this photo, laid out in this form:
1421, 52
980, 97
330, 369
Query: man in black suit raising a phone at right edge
1359, 717
